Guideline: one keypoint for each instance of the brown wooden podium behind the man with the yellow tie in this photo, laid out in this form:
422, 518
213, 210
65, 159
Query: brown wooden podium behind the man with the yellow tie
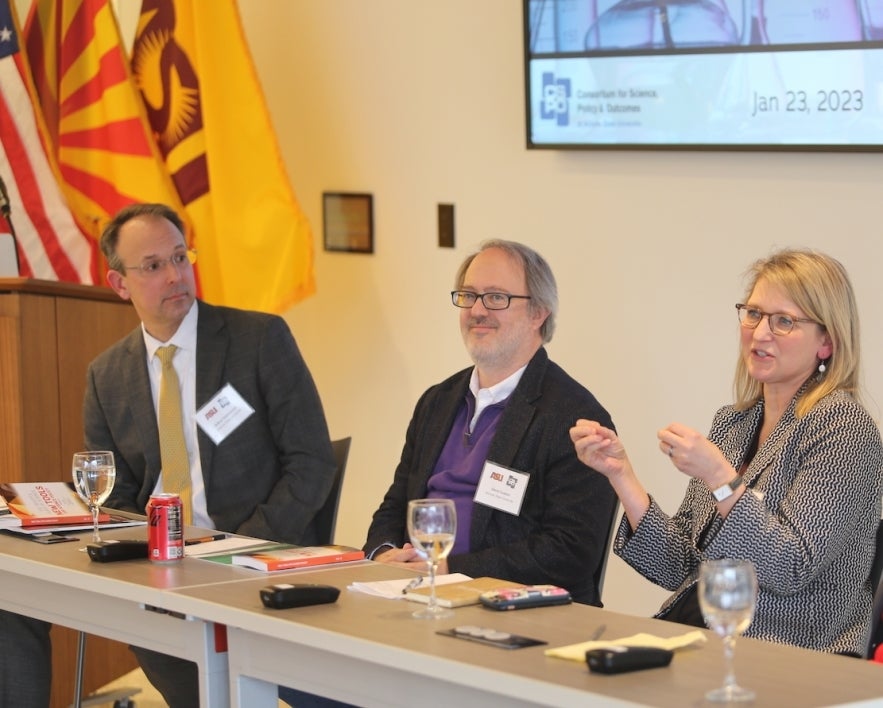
49, 332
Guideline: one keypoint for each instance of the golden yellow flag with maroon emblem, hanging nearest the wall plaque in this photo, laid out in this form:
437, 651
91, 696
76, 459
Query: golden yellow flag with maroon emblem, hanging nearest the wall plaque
208, 113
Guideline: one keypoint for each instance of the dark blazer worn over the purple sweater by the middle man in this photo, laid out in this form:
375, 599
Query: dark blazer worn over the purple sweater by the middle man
559, 536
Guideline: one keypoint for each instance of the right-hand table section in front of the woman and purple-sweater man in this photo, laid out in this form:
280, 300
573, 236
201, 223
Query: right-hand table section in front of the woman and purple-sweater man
370, 652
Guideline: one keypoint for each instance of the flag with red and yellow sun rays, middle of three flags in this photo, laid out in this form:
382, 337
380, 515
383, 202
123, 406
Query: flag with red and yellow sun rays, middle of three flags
94, 115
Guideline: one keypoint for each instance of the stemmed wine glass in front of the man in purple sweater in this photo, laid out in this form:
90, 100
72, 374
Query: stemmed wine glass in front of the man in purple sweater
432, 526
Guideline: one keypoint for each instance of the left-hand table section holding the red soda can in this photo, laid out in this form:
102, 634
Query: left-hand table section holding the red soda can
124, 601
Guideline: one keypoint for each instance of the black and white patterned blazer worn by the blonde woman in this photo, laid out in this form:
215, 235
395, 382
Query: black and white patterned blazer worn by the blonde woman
807, 522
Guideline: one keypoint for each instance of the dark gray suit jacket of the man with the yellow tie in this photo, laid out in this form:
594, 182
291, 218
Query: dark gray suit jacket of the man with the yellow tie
270, 475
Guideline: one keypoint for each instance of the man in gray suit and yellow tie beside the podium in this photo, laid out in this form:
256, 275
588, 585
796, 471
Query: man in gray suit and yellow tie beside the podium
269, 475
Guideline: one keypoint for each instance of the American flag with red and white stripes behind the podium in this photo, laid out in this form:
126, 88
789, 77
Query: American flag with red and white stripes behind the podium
50, 244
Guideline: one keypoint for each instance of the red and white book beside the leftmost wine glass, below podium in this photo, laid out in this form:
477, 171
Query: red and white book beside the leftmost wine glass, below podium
44, 504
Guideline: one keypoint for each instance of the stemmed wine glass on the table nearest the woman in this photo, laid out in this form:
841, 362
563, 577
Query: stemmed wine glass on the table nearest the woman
727, 596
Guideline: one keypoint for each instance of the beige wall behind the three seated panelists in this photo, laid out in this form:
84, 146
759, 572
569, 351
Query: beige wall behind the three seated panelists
420, 102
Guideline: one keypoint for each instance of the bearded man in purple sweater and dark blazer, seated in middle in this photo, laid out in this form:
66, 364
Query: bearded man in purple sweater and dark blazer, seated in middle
512, 411
